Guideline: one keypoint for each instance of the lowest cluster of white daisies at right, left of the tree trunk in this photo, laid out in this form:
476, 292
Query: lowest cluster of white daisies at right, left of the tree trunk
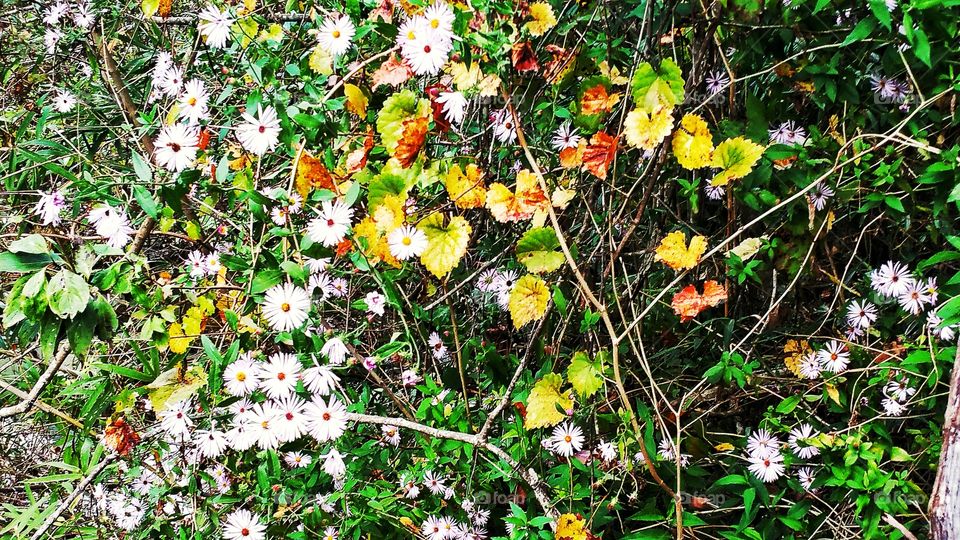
766, 460
